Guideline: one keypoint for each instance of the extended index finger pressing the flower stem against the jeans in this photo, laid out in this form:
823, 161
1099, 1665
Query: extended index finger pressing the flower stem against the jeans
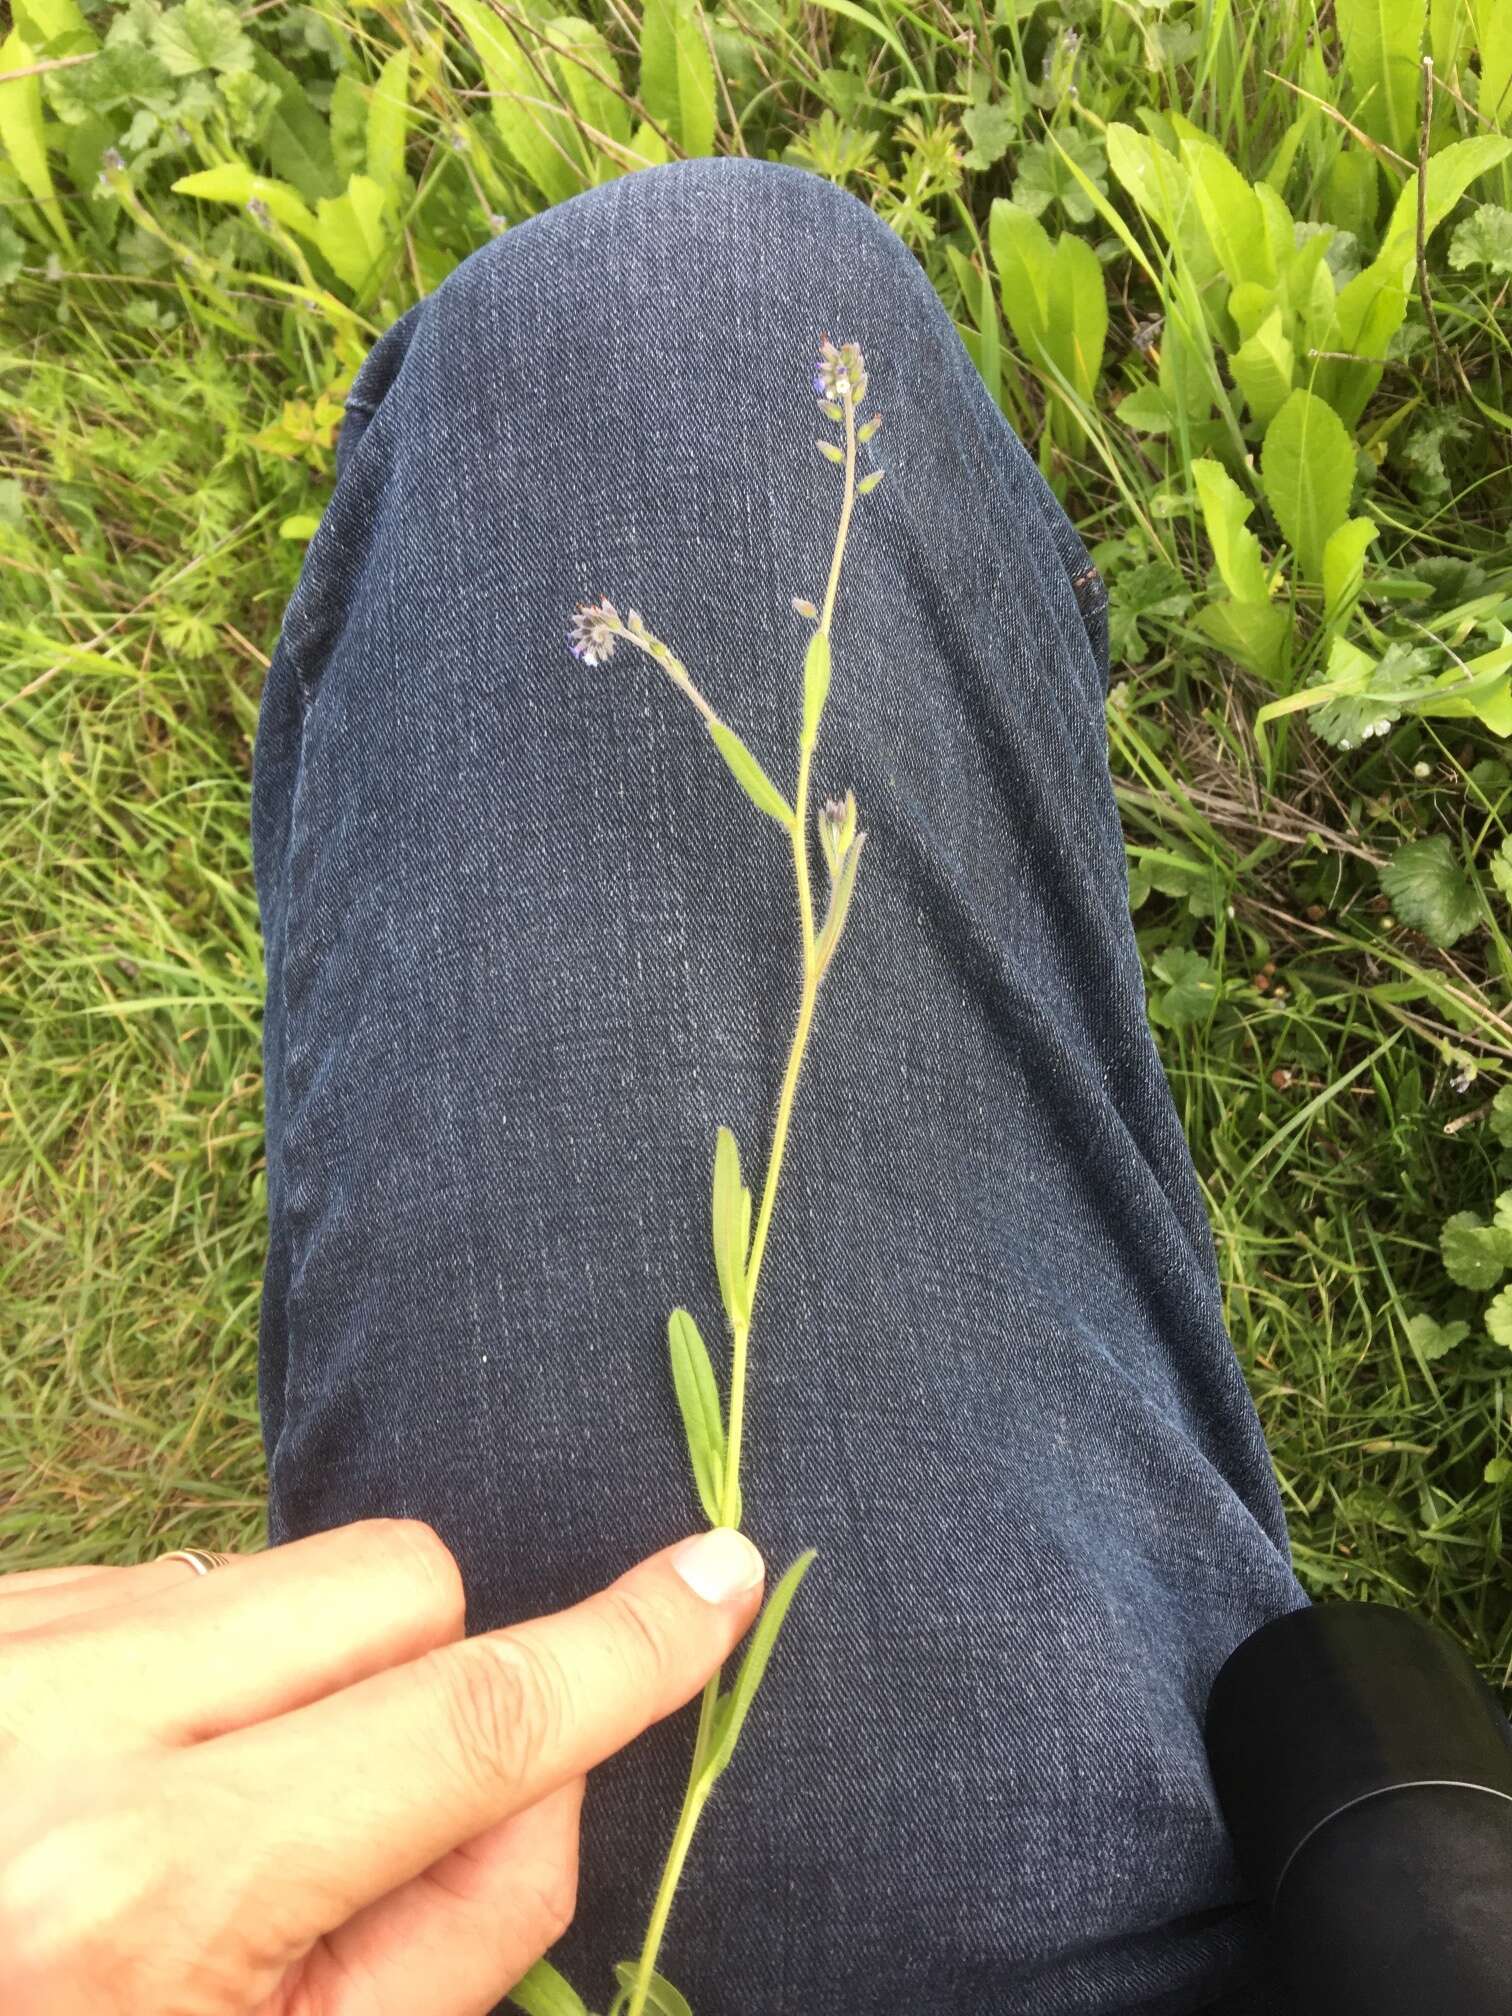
350, 1797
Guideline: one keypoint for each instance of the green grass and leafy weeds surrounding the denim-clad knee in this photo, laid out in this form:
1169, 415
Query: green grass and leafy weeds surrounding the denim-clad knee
1239, 275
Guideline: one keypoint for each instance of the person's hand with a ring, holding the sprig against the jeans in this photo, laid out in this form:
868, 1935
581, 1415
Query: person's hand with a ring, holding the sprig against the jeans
295, 1789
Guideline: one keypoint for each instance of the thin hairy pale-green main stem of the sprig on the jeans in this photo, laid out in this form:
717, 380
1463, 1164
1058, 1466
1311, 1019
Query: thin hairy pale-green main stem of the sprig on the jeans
699, 1787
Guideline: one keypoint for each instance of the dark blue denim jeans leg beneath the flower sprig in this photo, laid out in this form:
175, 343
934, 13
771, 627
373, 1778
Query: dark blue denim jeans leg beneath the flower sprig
529, 947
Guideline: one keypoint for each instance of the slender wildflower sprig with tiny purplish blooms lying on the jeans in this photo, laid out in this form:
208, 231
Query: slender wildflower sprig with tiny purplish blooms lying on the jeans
715, 1438
